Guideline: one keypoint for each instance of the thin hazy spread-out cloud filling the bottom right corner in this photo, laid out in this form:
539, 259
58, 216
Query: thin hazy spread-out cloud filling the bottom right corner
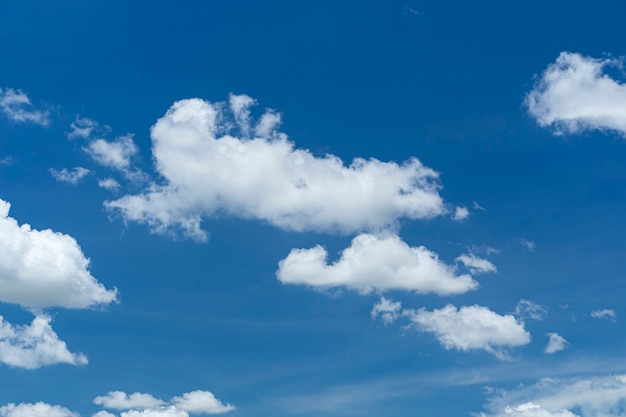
588, 396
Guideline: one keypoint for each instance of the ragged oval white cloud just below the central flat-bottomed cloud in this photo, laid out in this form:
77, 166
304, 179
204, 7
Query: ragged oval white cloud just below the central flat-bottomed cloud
471, 328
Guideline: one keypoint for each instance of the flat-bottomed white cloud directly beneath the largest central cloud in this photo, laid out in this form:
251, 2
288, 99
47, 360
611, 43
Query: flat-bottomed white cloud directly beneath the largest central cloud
374, 263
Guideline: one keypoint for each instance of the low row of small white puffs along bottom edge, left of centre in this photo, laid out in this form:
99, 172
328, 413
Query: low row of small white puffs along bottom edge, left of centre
145, 405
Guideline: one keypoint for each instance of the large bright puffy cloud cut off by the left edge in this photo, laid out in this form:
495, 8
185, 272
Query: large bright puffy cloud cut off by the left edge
42, 268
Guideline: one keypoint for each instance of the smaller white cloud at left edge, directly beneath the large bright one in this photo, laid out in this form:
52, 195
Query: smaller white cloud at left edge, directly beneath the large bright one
34, 346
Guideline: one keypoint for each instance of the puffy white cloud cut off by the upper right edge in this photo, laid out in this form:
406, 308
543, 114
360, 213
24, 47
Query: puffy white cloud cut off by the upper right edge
574, 94
